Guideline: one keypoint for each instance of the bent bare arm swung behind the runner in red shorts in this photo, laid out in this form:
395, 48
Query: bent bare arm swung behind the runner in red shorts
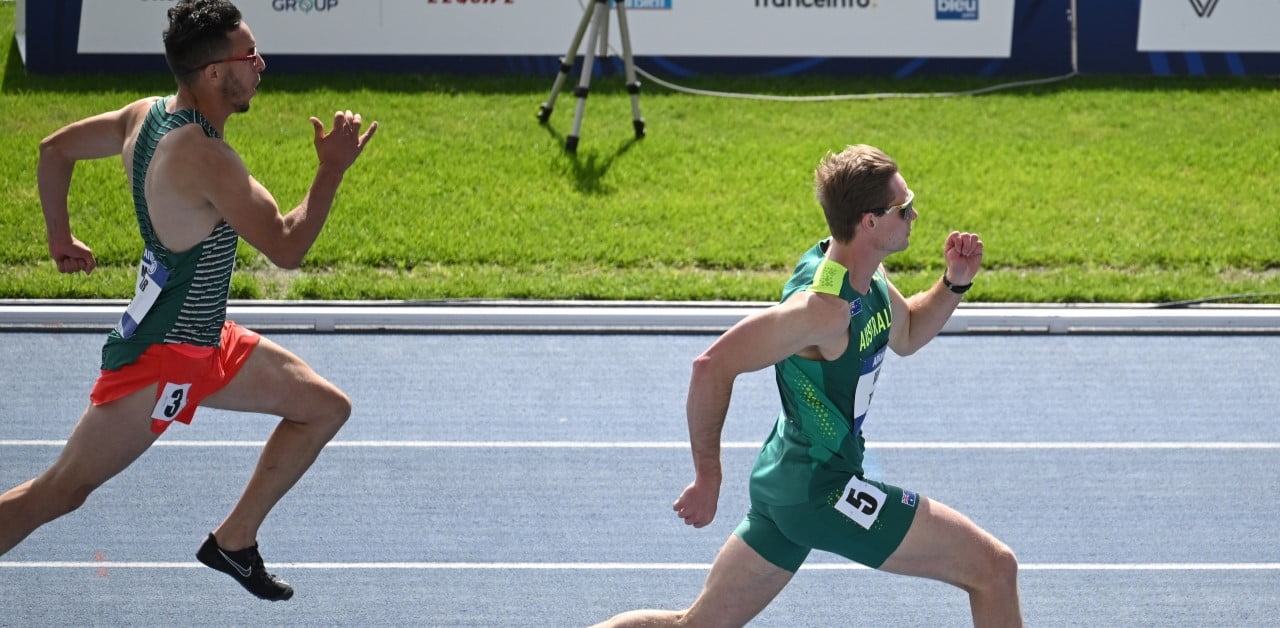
95, 137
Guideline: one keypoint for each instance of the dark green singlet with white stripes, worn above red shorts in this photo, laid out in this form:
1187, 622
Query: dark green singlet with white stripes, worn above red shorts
180, 297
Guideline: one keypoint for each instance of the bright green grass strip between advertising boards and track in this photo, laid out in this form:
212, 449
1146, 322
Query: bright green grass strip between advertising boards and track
1095, 190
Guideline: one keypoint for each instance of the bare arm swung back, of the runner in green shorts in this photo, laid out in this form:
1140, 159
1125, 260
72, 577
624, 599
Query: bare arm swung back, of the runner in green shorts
810, 324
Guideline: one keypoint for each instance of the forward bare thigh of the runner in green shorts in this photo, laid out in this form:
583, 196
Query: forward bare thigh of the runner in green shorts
943, 544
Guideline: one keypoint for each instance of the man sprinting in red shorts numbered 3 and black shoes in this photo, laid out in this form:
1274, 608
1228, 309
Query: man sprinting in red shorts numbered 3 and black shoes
175, 349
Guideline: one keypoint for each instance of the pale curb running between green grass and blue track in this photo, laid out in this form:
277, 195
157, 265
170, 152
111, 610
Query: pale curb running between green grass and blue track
632, 318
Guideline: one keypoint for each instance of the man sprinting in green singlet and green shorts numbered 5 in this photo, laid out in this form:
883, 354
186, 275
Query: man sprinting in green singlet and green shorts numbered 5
826, 341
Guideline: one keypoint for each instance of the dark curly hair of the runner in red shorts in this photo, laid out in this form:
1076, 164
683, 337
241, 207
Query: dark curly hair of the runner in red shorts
198, 35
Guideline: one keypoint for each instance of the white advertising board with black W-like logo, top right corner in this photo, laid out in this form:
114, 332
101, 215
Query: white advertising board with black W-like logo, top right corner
1209, 26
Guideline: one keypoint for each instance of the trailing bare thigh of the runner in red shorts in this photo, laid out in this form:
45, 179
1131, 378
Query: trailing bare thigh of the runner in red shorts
107, 439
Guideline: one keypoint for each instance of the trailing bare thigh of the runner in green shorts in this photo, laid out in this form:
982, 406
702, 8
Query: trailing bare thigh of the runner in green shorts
740, 585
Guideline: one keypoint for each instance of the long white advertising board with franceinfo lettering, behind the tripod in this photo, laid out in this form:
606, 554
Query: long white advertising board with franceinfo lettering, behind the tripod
939, 29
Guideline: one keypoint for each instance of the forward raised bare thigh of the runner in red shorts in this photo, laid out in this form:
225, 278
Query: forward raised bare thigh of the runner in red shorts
275, 382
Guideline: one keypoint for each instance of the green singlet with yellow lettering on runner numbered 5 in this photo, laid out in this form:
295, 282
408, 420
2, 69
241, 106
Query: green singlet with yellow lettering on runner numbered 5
817, 443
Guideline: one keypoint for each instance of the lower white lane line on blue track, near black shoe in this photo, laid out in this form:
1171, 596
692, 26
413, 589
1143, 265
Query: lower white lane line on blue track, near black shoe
605, 567
